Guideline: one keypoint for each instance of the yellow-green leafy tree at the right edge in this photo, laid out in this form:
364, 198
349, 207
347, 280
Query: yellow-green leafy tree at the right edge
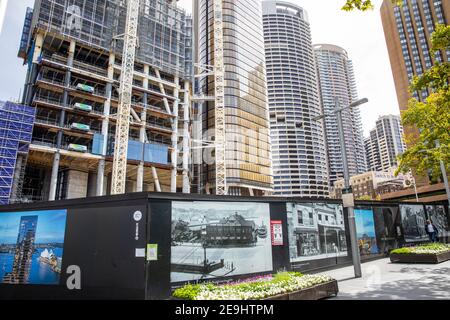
431, 117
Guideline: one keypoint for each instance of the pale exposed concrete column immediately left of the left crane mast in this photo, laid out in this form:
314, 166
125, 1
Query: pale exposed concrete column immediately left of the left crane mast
105, 127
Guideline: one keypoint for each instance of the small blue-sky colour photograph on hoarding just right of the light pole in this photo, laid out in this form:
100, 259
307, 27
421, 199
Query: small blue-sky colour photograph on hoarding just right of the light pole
365, 230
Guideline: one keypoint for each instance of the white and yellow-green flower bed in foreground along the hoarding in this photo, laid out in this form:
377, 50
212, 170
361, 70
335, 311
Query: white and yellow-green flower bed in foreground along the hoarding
282, 284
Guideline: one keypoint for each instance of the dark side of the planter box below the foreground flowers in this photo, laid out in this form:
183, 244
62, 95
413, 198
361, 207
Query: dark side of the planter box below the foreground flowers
321, 291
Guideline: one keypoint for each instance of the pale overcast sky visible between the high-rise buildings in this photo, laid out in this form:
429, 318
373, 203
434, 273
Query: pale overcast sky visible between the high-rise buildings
361, 34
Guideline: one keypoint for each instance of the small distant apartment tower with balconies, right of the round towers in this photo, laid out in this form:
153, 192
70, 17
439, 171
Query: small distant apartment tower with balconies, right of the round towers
385, 144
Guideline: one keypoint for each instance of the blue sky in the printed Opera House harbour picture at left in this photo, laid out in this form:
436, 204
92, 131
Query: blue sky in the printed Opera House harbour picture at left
51, 226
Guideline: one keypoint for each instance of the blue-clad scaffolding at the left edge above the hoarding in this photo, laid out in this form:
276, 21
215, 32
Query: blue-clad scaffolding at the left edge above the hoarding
16, 127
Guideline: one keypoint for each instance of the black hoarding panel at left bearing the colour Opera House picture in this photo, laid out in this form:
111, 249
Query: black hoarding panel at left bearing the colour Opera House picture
102, 255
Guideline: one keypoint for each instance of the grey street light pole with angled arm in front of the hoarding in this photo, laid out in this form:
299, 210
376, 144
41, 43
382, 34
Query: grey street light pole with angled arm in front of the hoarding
347, 192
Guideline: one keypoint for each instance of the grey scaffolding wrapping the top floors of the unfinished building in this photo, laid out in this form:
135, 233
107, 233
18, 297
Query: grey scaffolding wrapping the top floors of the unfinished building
162, 28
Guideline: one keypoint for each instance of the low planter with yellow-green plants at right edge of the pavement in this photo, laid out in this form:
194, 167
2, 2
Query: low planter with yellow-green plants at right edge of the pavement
428, 253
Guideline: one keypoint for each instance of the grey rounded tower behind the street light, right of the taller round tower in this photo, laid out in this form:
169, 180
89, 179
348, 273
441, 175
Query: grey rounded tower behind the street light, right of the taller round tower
337, 81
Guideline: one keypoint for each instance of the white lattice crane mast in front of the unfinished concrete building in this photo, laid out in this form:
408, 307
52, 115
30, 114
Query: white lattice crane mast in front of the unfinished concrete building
119, 174
